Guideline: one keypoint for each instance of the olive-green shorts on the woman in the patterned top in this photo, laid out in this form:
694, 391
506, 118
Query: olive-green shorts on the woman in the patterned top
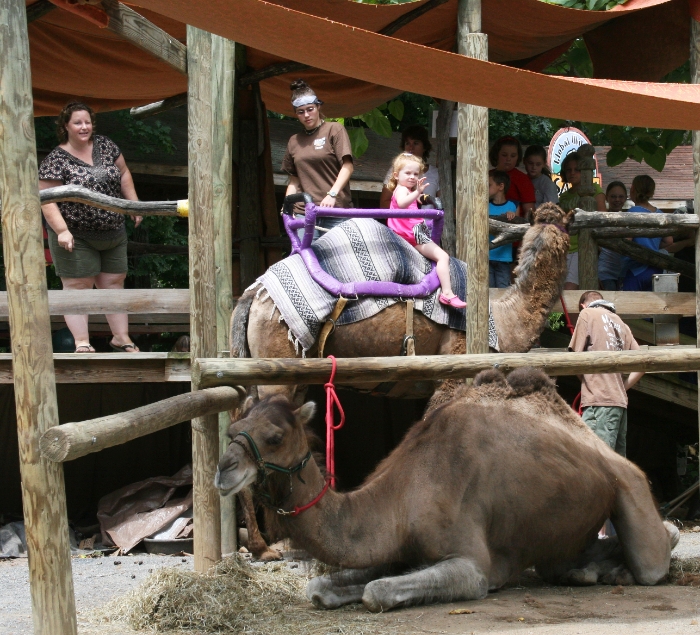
89, 257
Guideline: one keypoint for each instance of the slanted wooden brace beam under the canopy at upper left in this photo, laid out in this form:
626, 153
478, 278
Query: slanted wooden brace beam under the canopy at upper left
132, 26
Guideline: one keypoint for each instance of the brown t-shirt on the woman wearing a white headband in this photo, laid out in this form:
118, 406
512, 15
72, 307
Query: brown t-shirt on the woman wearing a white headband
316, 160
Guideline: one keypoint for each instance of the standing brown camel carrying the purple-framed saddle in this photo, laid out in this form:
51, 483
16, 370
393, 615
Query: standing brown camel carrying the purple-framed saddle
519, 317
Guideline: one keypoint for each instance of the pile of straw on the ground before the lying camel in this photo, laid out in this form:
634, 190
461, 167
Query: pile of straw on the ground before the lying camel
234, 597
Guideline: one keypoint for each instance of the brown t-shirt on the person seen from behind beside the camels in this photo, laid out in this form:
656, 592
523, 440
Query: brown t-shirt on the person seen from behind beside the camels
598, 329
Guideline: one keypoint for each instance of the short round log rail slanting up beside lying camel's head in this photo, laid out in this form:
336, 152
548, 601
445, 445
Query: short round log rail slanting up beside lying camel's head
70, 441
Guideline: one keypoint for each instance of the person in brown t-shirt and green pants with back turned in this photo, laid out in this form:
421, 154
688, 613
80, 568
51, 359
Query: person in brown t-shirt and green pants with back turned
604, 396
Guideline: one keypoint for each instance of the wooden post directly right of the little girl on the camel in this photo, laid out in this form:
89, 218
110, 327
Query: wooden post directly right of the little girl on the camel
472, 209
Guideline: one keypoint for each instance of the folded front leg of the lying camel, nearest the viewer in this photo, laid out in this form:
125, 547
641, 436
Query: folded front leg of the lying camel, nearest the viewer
446, 581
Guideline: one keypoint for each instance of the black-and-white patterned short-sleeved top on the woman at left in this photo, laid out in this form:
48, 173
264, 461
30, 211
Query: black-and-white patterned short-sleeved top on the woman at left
103, 176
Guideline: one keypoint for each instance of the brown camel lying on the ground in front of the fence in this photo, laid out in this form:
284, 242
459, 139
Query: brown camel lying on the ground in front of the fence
502, 477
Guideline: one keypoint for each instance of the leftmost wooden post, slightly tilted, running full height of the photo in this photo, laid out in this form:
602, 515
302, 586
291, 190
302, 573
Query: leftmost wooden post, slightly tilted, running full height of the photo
43, 488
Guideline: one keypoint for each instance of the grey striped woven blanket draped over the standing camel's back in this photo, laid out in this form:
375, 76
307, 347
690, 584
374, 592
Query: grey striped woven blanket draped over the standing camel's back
356, 250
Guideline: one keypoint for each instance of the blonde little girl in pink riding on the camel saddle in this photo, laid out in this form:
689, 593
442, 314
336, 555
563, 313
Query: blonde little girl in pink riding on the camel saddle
407, 185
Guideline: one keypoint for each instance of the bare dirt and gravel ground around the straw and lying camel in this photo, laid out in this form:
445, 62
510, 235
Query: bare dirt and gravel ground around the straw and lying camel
527, 606
